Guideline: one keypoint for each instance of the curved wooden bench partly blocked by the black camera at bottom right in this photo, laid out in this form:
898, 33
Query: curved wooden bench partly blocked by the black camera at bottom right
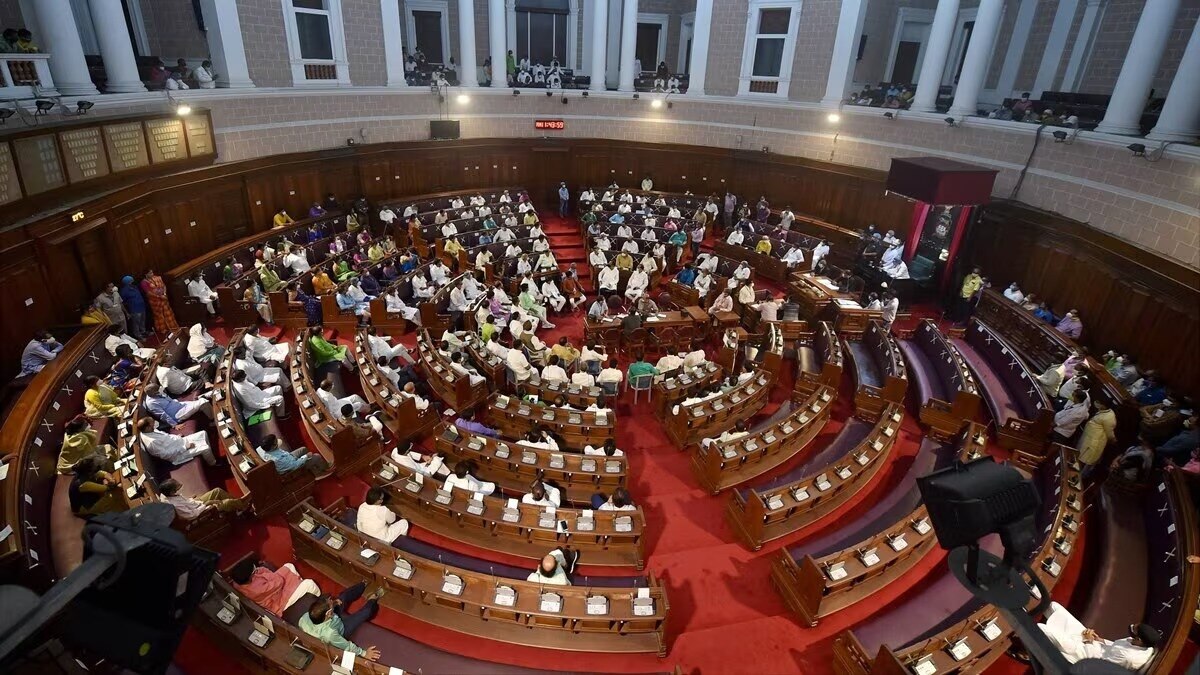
976, 630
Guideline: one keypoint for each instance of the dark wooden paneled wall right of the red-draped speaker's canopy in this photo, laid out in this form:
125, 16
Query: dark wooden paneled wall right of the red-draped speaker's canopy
1130, 300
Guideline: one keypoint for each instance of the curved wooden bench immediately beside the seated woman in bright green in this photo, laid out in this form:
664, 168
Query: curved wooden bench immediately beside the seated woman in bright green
332, 438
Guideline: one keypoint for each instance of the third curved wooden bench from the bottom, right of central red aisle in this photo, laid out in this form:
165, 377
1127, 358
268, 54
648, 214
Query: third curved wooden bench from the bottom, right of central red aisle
760, 516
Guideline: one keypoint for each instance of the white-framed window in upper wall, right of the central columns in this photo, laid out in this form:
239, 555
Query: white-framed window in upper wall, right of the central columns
771, 43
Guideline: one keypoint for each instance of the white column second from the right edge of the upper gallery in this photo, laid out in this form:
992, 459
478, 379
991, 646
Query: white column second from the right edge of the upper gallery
1139, 69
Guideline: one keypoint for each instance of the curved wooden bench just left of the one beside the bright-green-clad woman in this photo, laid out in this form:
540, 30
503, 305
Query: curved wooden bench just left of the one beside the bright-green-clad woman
271, 492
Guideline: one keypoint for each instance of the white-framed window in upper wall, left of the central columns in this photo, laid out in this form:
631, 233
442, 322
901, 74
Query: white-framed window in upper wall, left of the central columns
316, 44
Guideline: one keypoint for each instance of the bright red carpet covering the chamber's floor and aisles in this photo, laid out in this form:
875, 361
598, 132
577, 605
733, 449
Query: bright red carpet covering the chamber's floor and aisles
724, 618
